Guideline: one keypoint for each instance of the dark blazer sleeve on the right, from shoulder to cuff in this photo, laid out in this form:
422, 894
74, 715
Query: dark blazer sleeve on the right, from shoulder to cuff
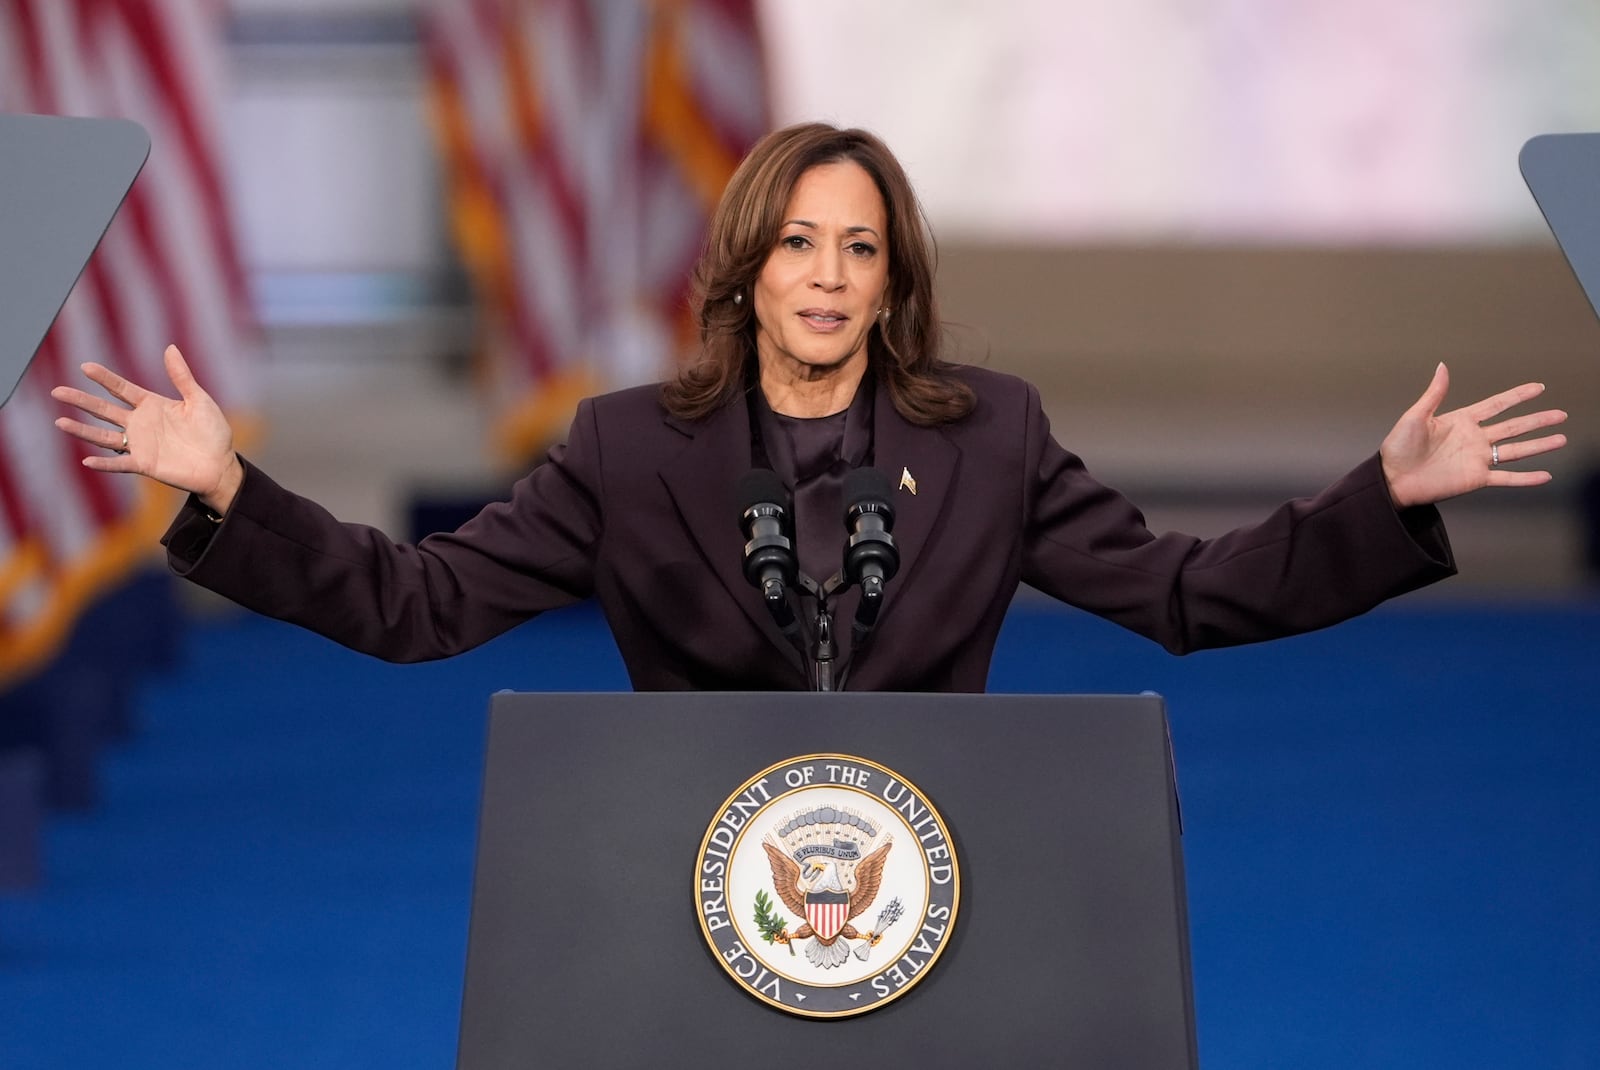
1311, 564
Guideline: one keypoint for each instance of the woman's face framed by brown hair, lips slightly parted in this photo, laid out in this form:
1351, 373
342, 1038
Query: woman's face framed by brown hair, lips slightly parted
825, 282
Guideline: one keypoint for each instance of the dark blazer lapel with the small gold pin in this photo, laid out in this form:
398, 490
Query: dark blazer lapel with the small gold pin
913, 458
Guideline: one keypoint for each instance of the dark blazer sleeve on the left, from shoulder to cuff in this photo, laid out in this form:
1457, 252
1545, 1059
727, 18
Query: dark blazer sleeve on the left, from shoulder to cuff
287, 557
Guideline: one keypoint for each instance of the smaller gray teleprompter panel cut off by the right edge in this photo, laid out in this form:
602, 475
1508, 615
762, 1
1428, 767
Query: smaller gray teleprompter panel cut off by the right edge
1564, 175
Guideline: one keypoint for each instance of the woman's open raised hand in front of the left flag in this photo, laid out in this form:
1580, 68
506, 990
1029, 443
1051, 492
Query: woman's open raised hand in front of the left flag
186, 442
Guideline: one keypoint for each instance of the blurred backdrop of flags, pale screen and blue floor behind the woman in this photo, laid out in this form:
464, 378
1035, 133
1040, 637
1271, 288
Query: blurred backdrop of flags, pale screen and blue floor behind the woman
399, 241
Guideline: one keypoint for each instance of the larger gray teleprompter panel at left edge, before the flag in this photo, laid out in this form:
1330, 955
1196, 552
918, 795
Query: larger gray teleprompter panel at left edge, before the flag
62, 182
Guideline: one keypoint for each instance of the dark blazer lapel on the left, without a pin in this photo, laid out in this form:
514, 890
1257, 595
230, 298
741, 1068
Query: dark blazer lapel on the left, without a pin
703, 482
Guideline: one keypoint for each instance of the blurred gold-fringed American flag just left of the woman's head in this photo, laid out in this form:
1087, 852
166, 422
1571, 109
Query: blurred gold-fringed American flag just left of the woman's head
585, 145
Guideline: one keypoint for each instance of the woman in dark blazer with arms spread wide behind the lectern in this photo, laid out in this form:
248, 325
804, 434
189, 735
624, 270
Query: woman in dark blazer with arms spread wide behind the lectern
815, 300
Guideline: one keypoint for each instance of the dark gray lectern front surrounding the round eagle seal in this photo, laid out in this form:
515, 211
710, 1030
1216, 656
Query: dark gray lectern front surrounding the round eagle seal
1071, 948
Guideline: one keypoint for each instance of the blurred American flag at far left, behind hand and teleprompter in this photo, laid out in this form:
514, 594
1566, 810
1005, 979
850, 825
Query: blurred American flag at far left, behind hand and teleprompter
169, 271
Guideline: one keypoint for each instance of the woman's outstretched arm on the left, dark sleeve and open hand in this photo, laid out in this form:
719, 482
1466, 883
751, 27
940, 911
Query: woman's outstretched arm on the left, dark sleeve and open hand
287, 557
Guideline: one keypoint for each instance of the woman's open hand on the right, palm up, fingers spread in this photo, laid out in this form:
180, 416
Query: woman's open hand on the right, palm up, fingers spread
1430, 458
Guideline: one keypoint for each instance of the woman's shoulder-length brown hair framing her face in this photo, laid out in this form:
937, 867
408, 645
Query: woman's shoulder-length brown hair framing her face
745, 230
